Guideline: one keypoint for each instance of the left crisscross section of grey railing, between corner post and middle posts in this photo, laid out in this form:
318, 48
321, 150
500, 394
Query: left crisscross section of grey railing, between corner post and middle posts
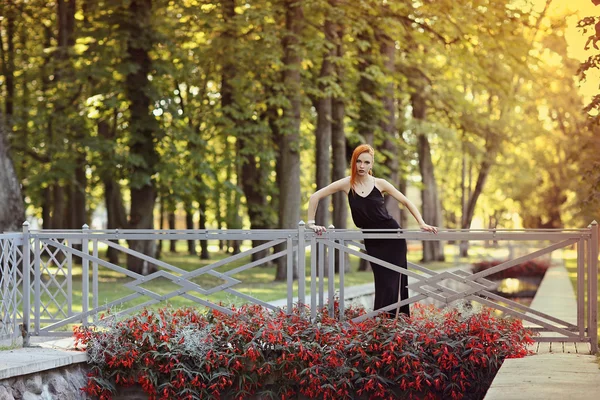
53, 264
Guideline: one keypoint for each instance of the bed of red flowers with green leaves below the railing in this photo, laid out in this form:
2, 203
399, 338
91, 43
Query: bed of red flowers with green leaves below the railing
255, 353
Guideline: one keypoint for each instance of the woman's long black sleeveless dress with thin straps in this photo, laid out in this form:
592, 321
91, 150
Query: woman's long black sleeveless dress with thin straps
370, 213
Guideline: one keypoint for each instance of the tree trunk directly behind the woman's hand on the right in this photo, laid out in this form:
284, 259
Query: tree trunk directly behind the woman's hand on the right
432, 209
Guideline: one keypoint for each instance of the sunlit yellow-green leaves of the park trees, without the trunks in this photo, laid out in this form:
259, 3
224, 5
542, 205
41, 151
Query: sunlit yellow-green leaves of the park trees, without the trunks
495, 78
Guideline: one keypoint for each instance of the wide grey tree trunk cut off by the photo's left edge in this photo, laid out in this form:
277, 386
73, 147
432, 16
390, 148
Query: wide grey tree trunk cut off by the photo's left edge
12, 213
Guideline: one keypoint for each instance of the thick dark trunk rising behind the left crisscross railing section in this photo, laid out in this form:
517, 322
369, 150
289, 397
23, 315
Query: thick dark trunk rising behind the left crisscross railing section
144, 128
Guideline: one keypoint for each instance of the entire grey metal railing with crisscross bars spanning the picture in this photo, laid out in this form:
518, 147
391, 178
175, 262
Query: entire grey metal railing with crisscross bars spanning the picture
36, 285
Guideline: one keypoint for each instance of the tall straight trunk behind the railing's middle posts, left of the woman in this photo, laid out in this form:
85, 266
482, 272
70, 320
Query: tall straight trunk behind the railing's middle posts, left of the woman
289, 145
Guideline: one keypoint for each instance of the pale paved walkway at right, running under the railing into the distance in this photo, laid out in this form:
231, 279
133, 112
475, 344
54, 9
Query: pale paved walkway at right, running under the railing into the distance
559, 370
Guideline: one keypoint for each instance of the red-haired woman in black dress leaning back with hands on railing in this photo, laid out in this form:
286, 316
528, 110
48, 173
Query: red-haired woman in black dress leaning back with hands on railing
365, 196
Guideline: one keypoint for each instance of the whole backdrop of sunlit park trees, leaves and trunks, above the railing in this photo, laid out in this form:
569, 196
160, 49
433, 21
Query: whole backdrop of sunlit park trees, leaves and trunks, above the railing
235, 111
